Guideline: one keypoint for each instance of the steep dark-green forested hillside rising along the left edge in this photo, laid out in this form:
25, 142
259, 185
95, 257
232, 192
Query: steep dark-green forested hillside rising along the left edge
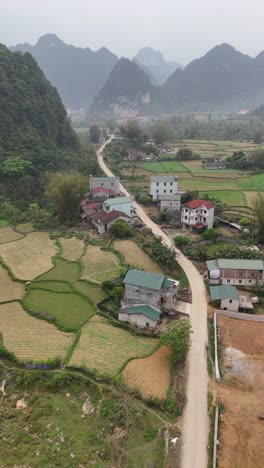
35, 134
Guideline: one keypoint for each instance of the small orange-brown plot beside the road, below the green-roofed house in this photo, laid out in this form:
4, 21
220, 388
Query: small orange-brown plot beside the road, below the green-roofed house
151, 375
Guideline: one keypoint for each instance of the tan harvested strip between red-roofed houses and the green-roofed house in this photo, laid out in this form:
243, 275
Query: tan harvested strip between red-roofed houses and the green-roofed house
135, 256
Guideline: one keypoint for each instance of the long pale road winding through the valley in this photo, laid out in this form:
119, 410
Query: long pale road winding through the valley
195, 419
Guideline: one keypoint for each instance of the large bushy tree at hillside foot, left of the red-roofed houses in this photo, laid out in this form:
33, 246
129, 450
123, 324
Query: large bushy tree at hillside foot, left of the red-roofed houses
66, 192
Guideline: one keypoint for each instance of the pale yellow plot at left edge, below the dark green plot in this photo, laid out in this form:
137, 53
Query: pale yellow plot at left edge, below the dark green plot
29, 338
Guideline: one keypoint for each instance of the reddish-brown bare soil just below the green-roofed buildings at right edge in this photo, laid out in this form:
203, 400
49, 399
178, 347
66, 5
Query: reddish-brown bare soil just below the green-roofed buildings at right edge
241, 334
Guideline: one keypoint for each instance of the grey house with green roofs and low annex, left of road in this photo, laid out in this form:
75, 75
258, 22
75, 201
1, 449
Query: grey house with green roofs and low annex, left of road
150, 291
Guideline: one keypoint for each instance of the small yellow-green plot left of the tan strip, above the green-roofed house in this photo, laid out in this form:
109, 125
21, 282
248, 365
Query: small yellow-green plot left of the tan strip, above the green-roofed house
99, 265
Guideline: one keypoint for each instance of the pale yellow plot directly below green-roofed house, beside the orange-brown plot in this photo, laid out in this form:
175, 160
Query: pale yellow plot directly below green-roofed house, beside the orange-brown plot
104, 348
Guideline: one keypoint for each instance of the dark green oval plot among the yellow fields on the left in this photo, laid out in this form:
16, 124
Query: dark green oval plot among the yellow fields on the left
70, 310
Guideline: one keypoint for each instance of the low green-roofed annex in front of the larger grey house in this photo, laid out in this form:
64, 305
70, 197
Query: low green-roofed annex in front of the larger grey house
143, 316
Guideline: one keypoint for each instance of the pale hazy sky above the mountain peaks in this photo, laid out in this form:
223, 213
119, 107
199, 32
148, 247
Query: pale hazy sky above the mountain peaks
181, 29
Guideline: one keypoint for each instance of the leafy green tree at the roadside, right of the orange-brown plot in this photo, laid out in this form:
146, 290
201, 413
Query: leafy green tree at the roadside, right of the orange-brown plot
177, 339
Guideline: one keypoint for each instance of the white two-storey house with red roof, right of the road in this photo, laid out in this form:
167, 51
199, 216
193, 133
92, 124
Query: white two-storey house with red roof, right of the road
197, 215
